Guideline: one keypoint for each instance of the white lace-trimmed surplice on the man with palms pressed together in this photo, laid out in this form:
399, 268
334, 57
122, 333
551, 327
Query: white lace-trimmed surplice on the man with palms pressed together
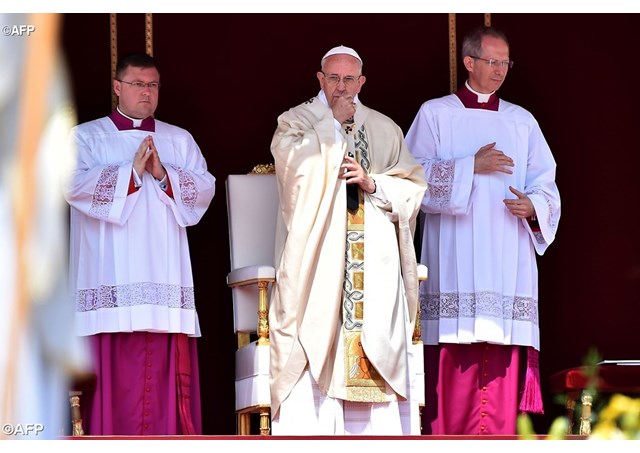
130, 263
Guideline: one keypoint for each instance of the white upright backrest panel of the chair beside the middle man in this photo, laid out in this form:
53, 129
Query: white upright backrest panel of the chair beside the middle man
252, 207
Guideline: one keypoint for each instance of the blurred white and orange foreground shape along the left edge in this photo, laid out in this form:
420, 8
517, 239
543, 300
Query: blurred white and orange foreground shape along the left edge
39, 352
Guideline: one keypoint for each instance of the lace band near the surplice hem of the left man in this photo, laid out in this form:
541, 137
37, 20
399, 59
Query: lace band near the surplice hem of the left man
134, 294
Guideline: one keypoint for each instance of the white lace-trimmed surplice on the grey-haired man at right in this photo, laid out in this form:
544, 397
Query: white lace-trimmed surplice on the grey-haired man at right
483, 282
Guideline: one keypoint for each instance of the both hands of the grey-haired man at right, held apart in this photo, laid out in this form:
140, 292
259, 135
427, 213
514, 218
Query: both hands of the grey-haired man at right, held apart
489, 160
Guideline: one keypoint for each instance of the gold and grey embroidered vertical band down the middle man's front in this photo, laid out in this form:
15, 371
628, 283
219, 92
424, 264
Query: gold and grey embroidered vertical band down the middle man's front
363, 382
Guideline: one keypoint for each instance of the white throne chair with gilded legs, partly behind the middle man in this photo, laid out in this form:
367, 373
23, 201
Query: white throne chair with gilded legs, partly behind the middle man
252, 207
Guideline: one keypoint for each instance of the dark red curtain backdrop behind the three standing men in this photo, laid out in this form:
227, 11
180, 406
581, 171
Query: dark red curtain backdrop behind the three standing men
226, 78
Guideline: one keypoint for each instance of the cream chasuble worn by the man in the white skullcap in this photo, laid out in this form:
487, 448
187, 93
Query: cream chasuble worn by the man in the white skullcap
306, 306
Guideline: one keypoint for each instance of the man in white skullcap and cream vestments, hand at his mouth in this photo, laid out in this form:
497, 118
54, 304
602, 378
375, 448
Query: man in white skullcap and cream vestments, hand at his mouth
341, 323
